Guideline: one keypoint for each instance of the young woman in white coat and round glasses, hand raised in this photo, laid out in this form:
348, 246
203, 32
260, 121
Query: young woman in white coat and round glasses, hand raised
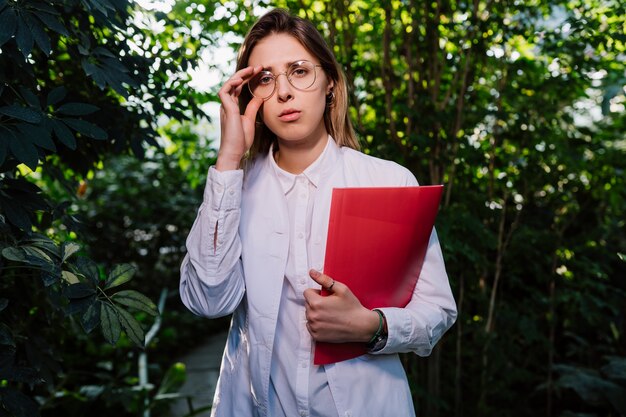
257, 246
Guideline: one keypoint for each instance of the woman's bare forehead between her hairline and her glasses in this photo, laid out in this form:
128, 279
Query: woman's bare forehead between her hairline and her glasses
277, 51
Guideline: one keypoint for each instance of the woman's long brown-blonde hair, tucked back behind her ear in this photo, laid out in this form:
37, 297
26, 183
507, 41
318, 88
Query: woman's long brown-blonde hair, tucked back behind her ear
336, 117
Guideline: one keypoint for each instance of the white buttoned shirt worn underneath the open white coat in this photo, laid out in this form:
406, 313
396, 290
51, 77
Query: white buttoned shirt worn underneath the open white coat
297, 387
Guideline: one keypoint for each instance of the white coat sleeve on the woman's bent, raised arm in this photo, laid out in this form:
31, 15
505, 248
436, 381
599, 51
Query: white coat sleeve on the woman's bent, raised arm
211, 276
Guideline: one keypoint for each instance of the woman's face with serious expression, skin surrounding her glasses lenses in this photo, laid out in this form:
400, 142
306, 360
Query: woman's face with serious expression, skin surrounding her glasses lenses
296, 116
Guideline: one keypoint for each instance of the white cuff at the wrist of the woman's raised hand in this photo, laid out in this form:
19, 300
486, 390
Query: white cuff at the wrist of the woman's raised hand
223, 189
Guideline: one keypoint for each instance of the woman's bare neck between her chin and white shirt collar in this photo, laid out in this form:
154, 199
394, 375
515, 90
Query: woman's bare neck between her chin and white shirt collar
295, 157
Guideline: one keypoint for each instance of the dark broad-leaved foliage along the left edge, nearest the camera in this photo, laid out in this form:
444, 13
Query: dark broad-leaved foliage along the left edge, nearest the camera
79, 82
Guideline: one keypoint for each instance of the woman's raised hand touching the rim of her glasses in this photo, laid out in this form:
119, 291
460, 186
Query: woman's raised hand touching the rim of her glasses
237, 130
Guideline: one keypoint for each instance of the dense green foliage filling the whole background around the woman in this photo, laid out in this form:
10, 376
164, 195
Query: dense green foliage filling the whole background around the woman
517, 107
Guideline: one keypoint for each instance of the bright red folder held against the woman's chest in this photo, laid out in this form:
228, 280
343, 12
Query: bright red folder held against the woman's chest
377, 240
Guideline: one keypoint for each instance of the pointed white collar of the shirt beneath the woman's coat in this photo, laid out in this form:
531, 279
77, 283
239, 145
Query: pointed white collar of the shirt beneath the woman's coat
315, 173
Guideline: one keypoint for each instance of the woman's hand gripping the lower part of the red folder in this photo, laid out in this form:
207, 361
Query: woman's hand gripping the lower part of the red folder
338, 317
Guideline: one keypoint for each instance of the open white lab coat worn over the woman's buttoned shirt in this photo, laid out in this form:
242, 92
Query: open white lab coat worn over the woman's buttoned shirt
240, 269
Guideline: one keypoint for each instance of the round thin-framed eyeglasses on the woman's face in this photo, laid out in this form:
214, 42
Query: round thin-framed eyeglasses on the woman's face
301, 75
